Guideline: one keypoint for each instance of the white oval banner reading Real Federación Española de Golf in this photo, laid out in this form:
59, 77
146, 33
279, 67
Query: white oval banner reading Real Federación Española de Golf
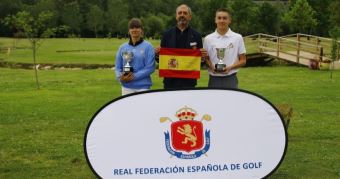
198, 133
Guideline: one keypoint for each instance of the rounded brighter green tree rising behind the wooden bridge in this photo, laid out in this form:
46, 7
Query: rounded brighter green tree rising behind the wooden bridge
301, 17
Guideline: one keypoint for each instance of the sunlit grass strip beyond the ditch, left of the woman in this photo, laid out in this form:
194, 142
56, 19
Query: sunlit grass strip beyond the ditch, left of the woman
84, 51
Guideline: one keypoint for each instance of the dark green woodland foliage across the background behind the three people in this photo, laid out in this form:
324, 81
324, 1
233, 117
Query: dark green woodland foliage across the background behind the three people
109, 18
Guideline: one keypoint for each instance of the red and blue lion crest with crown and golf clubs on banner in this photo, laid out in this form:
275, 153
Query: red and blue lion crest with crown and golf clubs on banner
187, 140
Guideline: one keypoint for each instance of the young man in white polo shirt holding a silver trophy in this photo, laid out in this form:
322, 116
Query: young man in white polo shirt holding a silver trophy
235, 51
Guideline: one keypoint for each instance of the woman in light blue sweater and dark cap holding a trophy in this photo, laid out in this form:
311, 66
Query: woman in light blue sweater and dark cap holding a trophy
142, 61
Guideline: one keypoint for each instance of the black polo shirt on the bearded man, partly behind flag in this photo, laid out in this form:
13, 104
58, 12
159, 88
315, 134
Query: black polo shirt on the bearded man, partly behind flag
188, 39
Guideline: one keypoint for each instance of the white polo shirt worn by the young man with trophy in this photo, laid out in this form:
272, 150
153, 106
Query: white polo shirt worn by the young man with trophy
234, 44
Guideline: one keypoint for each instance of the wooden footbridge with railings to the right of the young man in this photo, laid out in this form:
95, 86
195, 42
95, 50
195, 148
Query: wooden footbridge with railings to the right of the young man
296, 48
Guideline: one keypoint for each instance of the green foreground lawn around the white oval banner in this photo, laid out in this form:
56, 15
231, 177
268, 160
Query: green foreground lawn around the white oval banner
41, 131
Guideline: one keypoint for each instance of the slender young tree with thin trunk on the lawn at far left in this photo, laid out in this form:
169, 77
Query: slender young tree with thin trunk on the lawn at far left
35, 28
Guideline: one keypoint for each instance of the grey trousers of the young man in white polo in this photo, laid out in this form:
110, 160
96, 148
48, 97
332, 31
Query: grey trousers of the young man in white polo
223, 81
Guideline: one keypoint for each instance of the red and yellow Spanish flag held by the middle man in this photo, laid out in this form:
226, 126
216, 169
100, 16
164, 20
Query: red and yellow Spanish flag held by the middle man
179, 63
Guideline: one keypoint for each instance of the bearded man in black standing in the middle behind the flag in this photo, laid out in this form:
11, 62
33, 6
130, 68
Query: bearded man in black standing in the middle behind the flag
181, 36
